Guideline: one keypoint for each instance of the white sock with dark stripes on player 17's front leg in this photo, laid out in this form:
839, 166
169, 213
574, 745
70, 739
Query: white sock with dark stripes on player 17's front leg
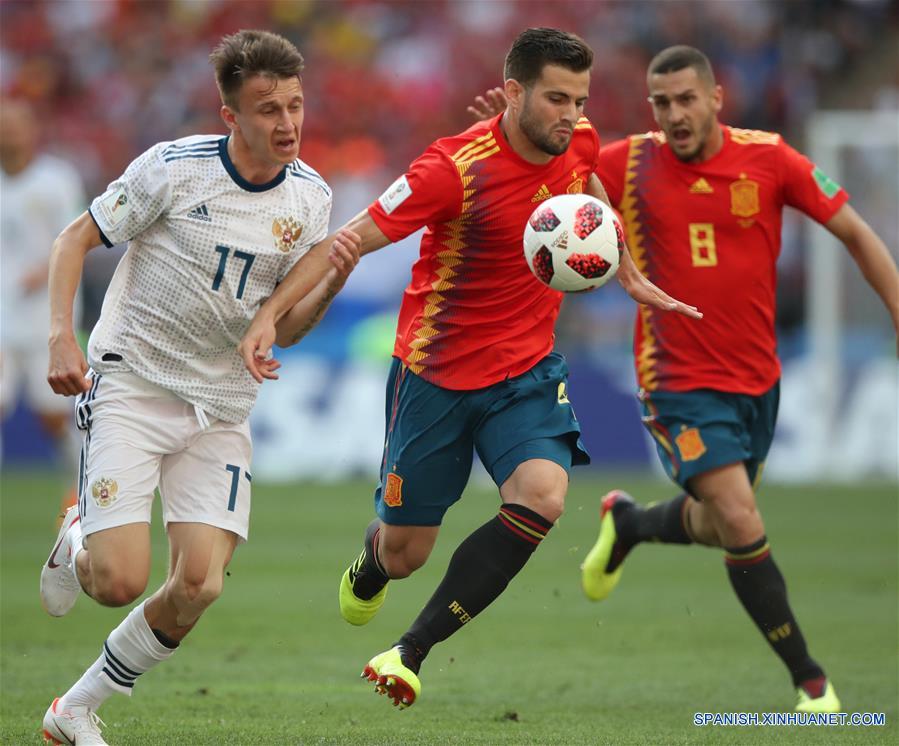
130, 650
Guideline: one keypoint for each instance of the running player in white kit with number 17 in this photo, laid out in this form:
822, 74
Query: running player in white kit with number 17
213, 224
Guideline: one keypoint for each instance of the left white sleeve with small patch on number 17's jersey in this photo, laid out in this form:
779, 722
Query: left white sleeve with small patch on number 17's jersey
135, 200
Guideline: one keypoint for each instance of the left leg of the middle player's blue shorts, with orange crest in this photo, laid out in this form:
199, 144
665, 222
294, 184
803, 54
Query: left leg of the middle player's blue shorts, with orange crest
428, 450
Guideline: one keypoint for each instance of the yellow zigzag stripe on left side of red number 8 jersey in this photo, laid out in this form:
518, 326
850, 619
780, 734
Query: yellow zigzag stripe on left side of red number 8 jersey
630, 210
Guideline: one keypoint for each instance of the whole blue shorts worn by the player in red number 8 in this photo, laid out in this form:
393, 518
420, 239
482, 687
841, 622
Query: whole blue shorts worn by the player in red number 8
697, 431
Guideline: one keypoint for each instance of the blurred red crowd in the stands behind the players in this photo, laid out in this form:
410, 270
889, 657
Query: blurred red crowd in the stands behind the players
383, 79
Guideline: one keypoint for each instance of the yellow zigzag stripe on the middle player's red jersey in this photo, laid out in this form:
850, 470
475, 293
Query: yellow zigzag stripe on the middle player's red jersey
451, 256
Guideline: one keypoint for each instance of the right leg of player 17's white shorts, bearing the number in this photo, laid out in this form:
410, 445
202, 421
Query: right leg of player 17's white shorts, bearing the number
209, 480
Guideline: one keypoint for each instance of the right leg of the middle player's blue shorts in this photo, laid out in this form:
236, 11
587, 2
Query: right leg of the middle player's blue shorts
529, 417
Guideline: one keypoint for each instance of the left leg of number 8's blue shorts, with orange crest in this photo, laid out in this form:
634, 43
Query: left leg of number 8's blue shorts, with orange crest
696, 431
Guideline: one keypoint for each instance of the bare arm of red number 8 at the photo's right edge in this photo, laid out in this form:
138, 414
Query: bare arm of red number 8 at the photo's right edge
871, 255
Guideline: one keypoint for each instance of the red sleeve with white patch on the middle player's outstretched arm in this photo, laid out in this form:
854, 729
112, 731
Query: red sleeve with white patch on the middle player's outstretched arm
429, 192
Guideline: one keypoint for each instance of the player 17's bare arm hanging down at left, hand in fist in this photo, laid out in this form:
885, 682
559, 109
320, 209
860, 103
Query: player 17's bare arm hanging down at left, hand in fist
67, 369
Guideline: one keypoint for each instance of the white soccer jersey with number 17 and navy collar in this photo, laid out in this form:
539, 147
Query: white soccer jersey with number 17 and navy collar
206, 248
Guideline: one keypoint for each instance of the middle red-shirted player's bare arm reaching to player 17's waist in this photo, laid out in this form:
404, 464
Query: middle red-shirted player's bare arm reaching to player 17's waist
256, 346
